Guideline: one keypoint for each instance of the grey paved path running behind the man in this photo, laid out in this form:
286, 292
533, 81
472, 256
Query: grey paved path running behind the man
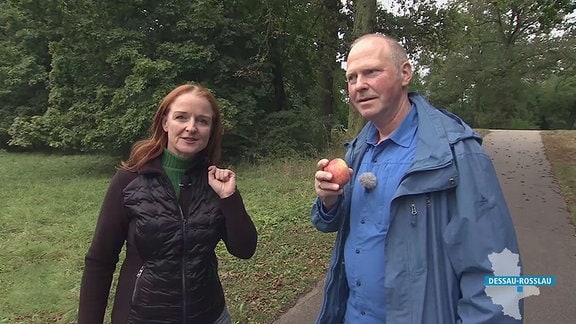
546, 237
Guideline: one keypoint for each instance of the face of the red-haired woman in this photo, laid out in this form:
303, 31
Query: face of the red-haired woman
188, 124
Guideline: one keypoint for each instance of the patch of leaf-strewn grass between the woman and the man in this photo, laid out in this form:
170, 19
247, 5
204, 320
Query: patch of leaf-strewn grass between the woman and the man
291, 256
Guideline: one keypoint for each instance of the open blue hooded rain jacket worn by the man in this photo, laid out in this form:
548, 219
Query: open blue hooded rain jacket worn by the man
447, 215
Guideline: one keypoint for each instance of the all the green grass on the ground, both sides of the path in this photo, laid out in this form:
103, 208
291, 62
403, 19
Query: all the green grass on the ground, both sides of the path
49, 206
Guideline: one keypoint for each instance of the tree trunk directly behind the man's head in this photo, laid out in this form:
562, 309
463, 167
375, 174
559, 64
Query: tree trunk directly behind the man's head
364, 23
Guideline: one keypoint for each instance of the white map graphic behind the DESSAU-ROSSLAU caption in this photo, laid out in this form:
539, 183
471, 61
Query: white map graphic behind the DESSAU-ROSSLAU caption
505, 263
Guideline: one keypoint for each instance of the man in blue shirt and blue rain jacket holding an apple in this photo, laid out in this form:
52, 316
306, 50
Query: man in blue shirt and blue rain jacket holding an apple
422, 212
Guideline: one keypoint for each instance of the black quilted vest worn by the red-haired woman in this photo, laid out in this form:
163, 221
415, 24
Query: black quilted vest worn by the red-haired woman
178, 282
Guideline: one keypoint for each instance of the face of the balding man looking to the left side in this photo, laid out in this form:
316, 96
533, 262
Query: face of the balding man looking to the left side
376, 84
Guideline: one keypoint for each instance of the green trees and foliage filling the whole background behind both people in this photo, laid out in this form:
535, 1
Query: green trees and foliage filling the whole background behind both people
87, 76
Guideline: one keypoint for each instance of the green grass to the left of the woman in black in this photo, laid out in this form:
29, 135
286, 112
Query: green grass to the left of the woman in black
47, 216
